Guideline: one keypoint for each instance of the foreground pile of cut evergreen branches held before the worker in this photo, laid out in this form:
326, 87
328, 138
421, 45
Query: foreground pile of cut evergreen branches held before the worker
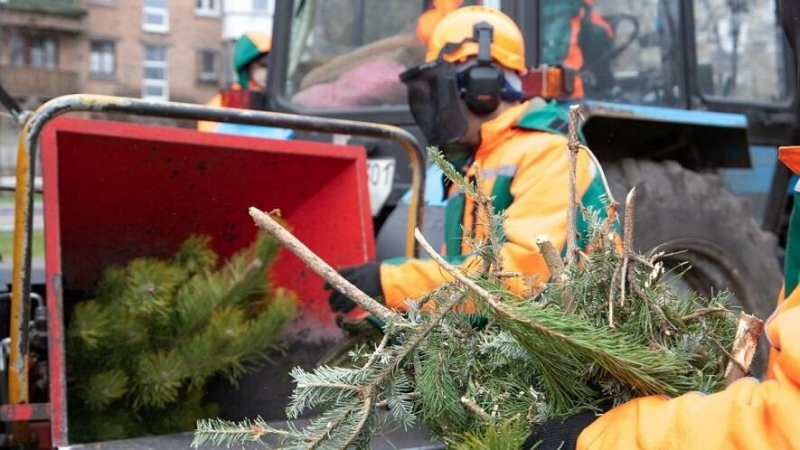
607, 327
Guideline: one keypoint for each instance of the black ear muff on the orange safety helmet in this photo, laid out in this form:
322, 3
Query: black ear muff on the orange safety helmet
482, 84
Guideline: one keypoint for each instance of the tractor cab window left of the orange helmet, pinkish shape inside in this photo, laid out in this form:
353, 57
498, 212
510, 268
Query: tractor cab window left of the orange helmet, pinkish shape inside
348, 54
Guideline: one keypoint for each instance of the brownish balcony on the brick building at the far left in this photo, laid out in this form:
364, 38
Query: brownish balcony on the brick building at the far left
28, 81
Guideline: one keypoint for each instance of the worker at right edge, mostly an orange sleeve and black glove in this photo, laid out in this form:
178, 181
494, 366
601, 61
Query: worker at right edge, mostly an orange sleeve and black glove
748, 414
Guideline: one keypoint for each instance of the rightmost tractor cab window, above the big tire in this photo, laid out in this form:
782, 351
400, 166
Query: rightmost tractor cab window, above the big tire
739, 50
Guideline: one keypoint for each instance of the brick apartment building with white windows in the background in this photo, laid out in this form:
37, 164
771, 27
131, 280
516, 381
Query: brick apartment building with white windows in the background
155, 49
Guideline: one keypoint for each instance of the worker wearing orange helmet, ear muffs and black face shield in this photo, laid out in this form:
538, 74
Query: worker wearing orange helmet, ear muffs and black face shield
467, 100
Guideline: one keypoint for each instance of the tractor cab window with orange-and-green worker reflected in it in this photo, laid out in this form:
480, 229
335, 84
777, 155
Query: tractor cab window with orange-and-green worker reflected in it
626, 51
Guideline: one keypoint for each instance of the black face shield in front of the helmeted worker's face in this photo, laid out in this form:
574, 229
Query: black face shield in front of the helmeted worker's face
435, 101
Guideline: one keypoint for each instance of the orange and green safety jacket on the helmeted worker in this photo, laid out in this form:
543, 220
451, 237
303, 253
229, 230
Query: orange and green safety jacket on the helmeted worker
522, 162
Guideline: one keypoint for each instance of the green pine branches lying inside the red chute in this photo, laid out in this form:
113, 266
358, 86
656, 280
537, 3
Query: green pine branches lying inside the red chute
142, 350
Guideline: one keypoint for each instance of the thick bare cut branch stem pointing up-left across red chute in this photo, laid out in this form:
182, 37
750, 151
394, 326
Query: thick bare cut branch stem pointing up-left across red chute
268, 224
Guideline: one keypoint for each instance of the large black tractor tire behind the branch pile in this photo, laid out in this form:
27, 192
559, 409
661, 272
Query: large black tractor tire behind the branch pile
695, 220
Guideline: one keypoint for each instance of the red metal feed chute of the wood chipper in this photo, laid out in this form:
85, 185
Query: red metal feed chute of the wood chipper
116, 191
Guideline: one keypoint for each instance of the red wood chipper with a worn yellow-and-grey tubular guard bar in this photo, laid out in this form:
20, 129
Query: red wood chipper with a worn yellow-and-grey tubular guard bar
114, 191
